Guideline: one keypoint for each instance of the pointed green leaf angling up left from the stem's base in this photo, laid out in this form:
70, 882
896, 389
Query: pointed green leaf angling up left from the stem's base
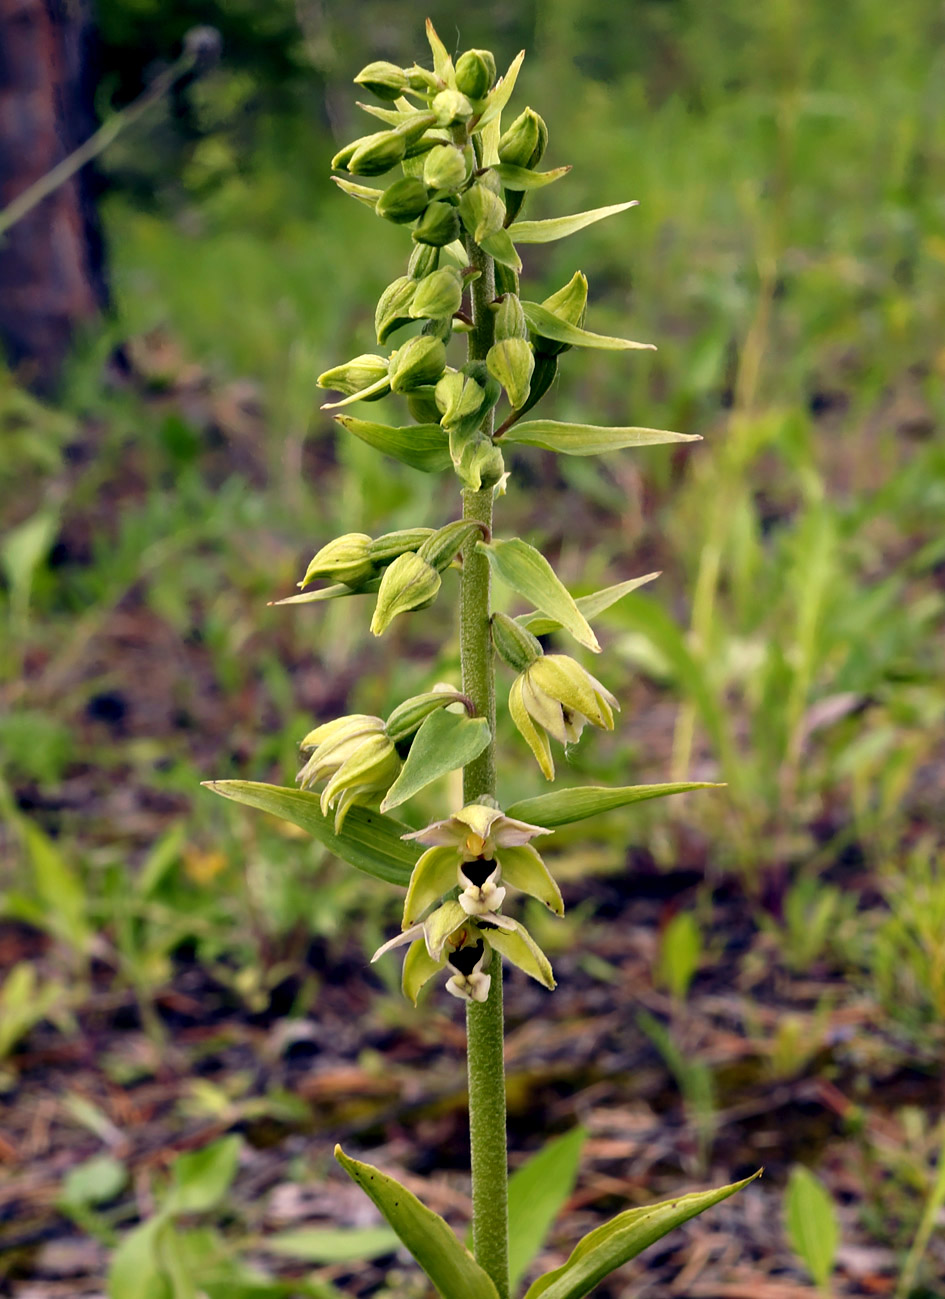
445, 1261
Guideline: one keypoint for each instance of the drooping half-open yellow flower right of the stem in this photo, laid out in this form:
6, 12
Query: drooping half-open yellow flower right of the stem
556, 697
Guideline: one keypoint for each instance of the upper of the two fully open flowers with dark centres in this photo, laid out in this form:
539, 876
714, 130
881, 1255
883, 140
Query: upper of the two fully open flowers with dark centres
480, 849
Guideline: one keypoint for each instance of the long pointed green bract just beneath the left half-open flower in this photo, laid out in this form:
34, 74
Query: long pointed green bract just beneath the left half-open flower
370, 842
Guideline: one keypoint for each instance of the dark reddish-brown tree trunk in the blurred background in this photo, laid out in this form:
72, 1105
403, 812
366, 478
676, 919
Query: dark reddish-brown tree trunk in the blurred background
51, 262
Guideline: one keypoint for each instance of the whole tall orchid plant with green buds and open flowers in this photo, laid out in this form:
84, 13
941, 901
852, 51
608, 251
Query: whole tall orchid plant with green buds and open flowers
462, 179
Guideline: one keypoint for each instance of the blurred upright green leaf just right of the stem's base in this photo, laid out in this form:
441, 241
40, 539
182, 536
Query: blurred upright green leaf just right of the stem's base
536, 1196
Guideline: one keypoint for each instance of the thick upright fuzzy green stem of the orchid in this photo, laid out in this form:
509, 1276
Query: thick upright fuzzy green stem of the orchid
485, 1027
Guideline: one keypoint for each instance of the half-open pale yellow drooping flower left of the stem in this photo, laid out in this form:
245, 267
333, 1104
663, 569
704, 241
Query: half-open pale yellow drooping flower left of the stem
359, 761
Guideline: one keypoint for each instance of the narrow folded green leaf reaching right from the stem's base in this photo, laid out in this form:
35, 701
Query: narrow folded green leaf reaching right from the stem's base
623, 1239
